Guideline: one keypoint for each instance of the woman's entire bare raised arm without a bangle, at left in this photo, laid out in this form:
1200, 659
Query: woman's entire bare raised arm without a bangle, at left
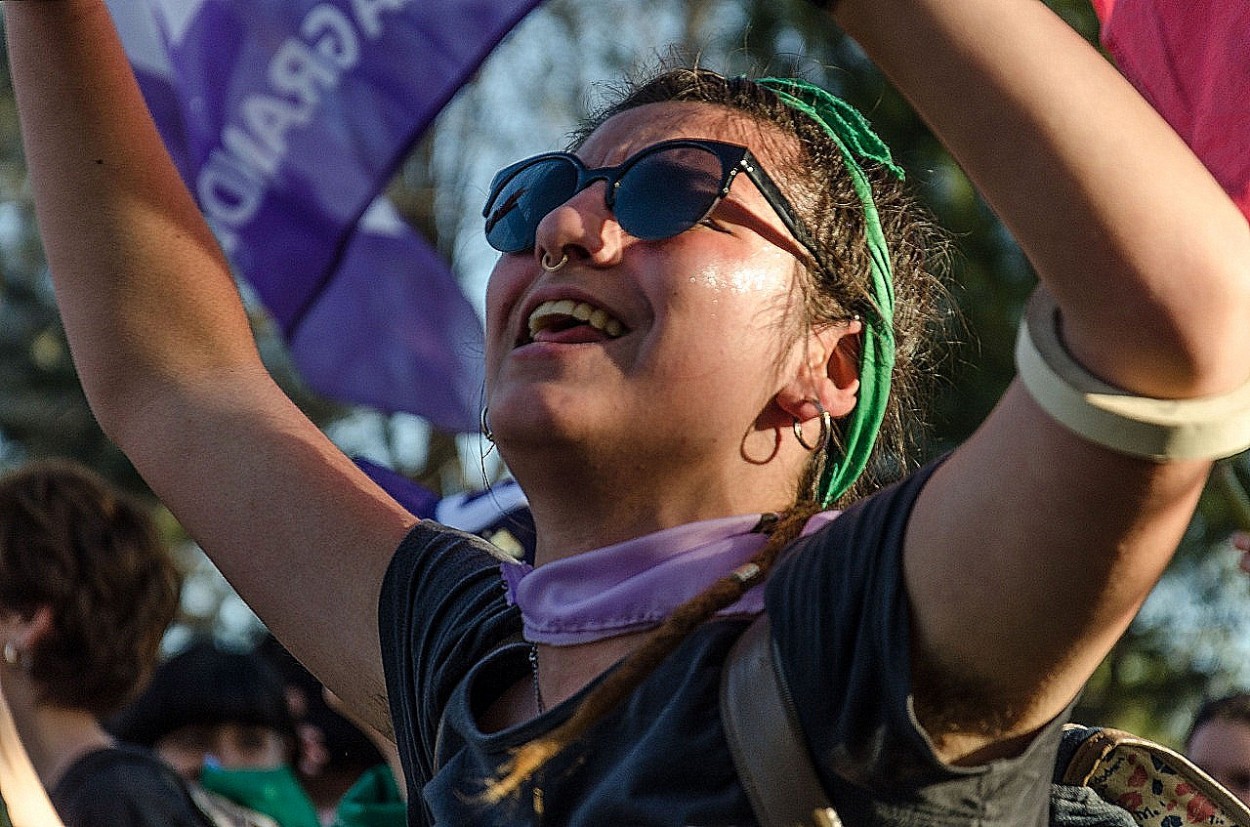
166, 354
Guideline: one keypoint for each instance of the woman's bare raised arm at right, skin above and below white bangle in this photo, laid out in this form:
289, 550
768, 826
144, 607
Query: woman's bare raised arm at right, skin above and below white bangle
1032, 549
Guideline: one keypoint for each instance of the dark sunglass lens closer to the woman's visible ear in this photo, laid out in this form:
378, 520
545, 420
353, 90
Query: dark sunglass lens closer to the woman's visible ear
668, 192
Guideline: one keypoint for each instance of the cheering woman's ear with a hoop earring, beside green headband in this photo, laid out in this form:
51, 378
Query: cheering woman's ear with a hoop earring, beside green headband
829, 373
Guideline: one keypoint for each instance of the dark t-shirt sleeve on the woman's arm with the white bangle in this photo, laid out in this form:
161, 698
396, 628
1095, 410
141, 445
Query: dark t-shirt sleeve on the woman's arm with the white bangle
842, 630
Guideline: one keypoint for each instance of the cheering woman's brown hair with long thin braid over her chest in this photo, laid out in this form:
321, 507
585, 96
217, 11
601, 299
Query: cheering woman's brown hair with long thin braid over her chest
822, 192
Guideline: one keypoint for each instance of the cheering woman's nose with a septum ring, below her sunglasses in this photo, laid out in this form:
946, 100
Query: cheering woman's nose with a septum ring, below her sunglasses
583, 229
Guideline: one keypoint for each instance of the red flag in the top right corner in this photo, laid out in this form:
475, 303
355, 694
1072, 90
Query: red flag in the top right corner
1192, 61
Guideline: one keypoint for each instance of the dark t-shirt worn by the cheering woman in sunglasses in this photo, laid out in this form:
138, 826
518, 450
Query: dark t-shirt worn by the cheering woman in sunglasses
839, 614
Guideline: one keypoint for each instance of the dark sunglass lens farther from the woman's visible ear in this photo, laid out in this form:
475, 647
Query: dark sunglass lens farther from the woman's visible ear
523, 202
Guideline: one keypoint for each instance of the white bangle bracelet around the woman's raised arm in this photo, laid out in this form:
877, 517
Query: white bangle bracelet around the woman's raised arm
1194, 429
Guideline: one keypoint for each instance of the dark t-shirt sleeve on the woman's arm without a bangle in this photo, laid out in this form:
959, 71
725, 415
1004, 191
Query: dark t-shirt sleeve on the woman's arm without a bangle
442, 610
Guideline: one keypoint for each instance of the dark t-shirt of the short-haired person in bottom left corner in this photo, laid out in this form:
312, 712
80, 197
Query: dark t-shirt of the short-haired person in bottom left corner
124, 786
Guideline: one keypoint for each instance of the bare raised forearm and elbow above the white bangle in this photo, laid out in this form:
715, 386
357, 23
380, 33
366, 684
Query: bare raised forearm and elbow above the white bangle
1147, 255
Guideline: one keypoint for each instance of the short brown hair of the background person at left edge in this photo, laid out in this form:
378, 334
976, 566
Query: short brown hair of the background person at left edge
94, 557
